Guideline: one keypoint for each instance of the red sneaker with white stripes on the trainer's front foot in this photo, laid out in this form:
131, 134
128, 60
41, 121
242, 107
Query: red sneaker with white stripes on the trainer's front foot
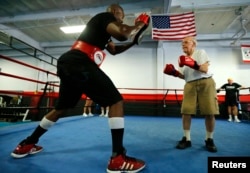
123, 163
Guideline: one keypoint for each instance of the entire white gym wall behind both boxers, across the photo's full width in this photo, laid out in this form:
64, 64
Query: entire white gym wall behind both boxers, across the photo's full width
142, 67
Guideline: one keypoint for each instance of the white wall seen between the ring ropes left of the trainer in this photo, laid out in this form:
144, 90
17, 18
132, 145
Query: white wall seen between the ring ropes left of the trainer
9, 83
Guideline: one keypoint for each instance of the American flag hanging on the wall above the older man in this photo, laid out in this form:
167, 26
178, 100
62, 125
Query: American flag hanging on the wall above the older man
173, 27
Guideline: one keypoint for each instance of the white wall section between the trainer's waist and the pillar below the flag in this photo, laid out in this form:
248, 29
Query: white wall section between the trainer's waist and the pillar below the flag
135, 68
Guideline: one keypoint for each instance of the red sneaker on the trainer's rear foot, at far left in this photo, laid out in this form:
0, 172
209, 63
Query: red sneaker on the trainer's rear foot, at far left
23, 150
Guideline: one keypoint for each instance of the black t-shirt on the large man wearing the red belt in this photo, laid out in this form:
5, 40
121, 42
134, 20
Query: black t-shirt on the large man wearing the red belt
95, 32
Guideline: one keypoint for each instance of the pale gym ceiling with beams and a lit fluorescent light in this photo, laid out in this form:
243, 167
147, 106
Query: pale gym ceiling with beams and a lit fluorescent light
37, 22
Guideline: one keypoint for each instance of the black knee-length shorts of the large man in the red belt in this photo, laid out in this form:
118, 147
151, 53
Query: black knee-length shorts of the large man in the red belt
79, 75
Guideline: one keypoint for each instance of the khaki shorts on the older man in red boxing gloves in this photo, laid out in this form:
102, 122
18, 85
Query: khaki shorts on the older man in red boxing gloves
200, 94
